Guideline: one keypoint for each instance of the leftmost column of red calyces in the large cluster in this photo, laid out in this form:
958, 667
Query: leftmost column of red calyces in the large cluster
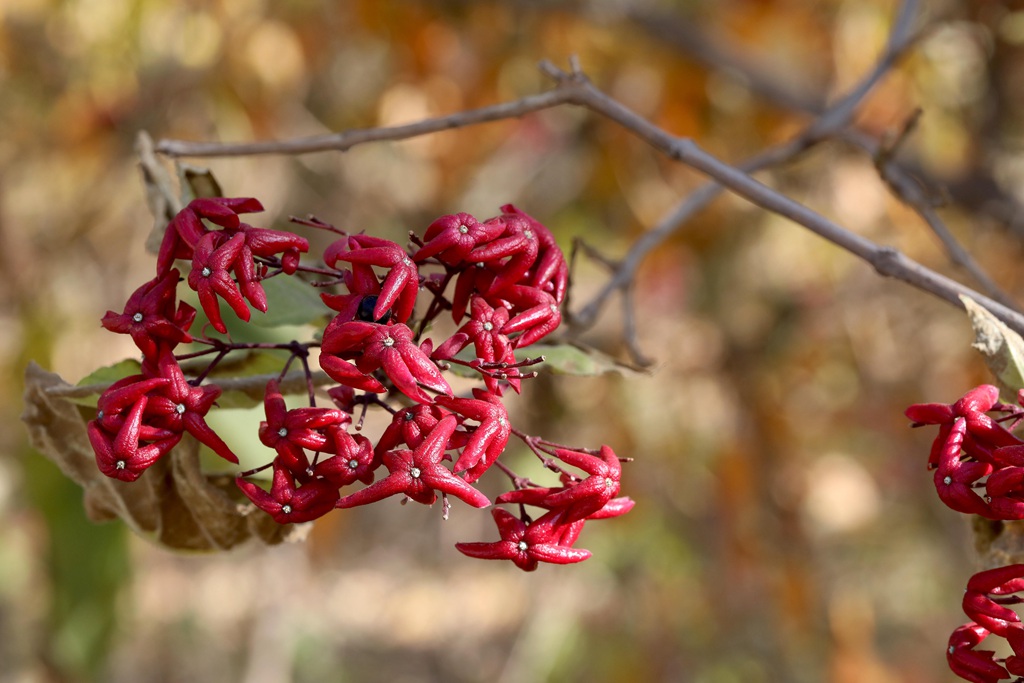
143, 417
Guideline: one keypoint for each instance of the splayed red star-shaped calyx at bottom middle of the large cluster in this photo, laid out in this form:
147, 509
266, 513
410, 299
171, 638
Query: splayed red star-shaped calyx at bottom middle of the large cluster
420, 475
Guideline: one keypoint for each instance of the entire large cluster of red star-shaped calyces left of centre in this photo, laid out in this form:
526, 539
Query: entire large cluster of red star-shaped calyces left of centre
506, 273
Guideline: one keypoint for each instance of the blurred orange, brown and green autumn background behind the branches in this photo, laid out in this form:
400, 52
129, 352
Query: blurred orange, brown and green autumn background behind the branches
786, 528
